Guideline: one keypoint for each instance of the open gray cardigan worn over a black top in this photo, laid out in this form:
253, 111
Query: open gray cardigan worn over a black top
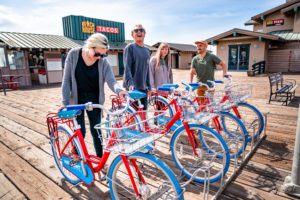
69, 85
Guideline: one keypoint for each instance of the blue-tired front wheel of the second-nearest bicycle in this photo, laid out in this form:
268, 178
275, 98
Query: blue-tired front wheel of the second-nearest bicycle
214, 153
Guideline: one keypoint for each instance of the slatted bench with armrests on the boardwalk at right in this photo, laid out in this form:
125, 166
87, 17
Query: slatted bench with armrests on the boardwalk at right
283, 90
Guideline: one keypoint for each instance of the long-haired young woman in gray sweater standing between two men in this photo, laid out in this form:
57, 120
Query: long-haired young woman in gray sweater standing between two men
160, 70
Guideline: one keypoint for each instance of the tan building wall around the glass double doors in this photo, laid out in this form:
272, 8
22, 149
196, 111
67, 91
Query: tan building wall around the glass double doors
257, 50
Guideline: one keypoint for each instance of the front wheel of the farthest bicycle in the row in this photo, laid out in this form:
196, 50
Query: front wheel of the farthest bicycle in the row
251, 117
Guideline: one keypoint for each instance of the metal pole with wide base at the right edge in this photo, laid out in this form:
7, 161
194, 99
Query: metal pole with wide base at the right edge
291, 183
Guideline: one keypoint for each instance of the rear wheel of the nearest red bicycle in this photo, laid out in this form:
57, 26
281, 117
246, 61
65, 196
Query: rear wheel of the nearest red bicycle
72, 151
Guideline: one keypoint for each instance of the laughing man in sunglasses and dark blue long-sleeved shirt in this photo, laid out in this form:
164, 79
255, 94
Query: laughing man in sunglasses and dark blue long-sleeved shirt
136, 62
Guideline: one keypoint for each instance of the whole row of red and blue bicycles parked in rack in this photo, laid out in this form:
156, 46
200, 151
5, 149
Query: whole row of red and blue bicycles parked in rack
200, 136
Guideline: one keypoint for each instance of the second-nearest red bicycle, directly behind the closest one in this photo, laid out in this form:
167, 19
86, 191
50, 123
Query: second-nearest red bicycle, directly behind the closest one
188, 153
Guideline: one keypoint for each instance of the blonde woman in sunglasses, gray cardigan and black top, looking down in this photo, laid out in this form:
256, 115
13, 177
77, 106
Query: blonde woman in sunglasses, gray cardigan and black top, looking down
86, 71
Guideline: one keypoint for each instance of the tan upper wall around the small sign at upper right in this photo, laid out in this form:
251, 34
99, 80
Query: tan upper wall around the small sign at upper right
288, 22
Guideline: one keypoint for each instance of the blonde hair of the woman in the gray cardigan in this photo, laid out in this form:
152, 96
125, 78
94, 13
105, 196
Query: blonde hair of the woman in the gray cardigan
97, 40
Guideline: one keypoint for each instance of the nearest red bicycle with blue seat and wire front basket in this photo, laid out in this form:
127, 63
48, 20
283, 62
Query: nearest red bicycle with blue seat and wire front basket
132, 174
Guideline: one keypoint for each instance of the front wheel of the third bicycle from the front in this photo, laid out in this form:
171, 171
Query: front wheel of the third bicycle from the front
233, 132
